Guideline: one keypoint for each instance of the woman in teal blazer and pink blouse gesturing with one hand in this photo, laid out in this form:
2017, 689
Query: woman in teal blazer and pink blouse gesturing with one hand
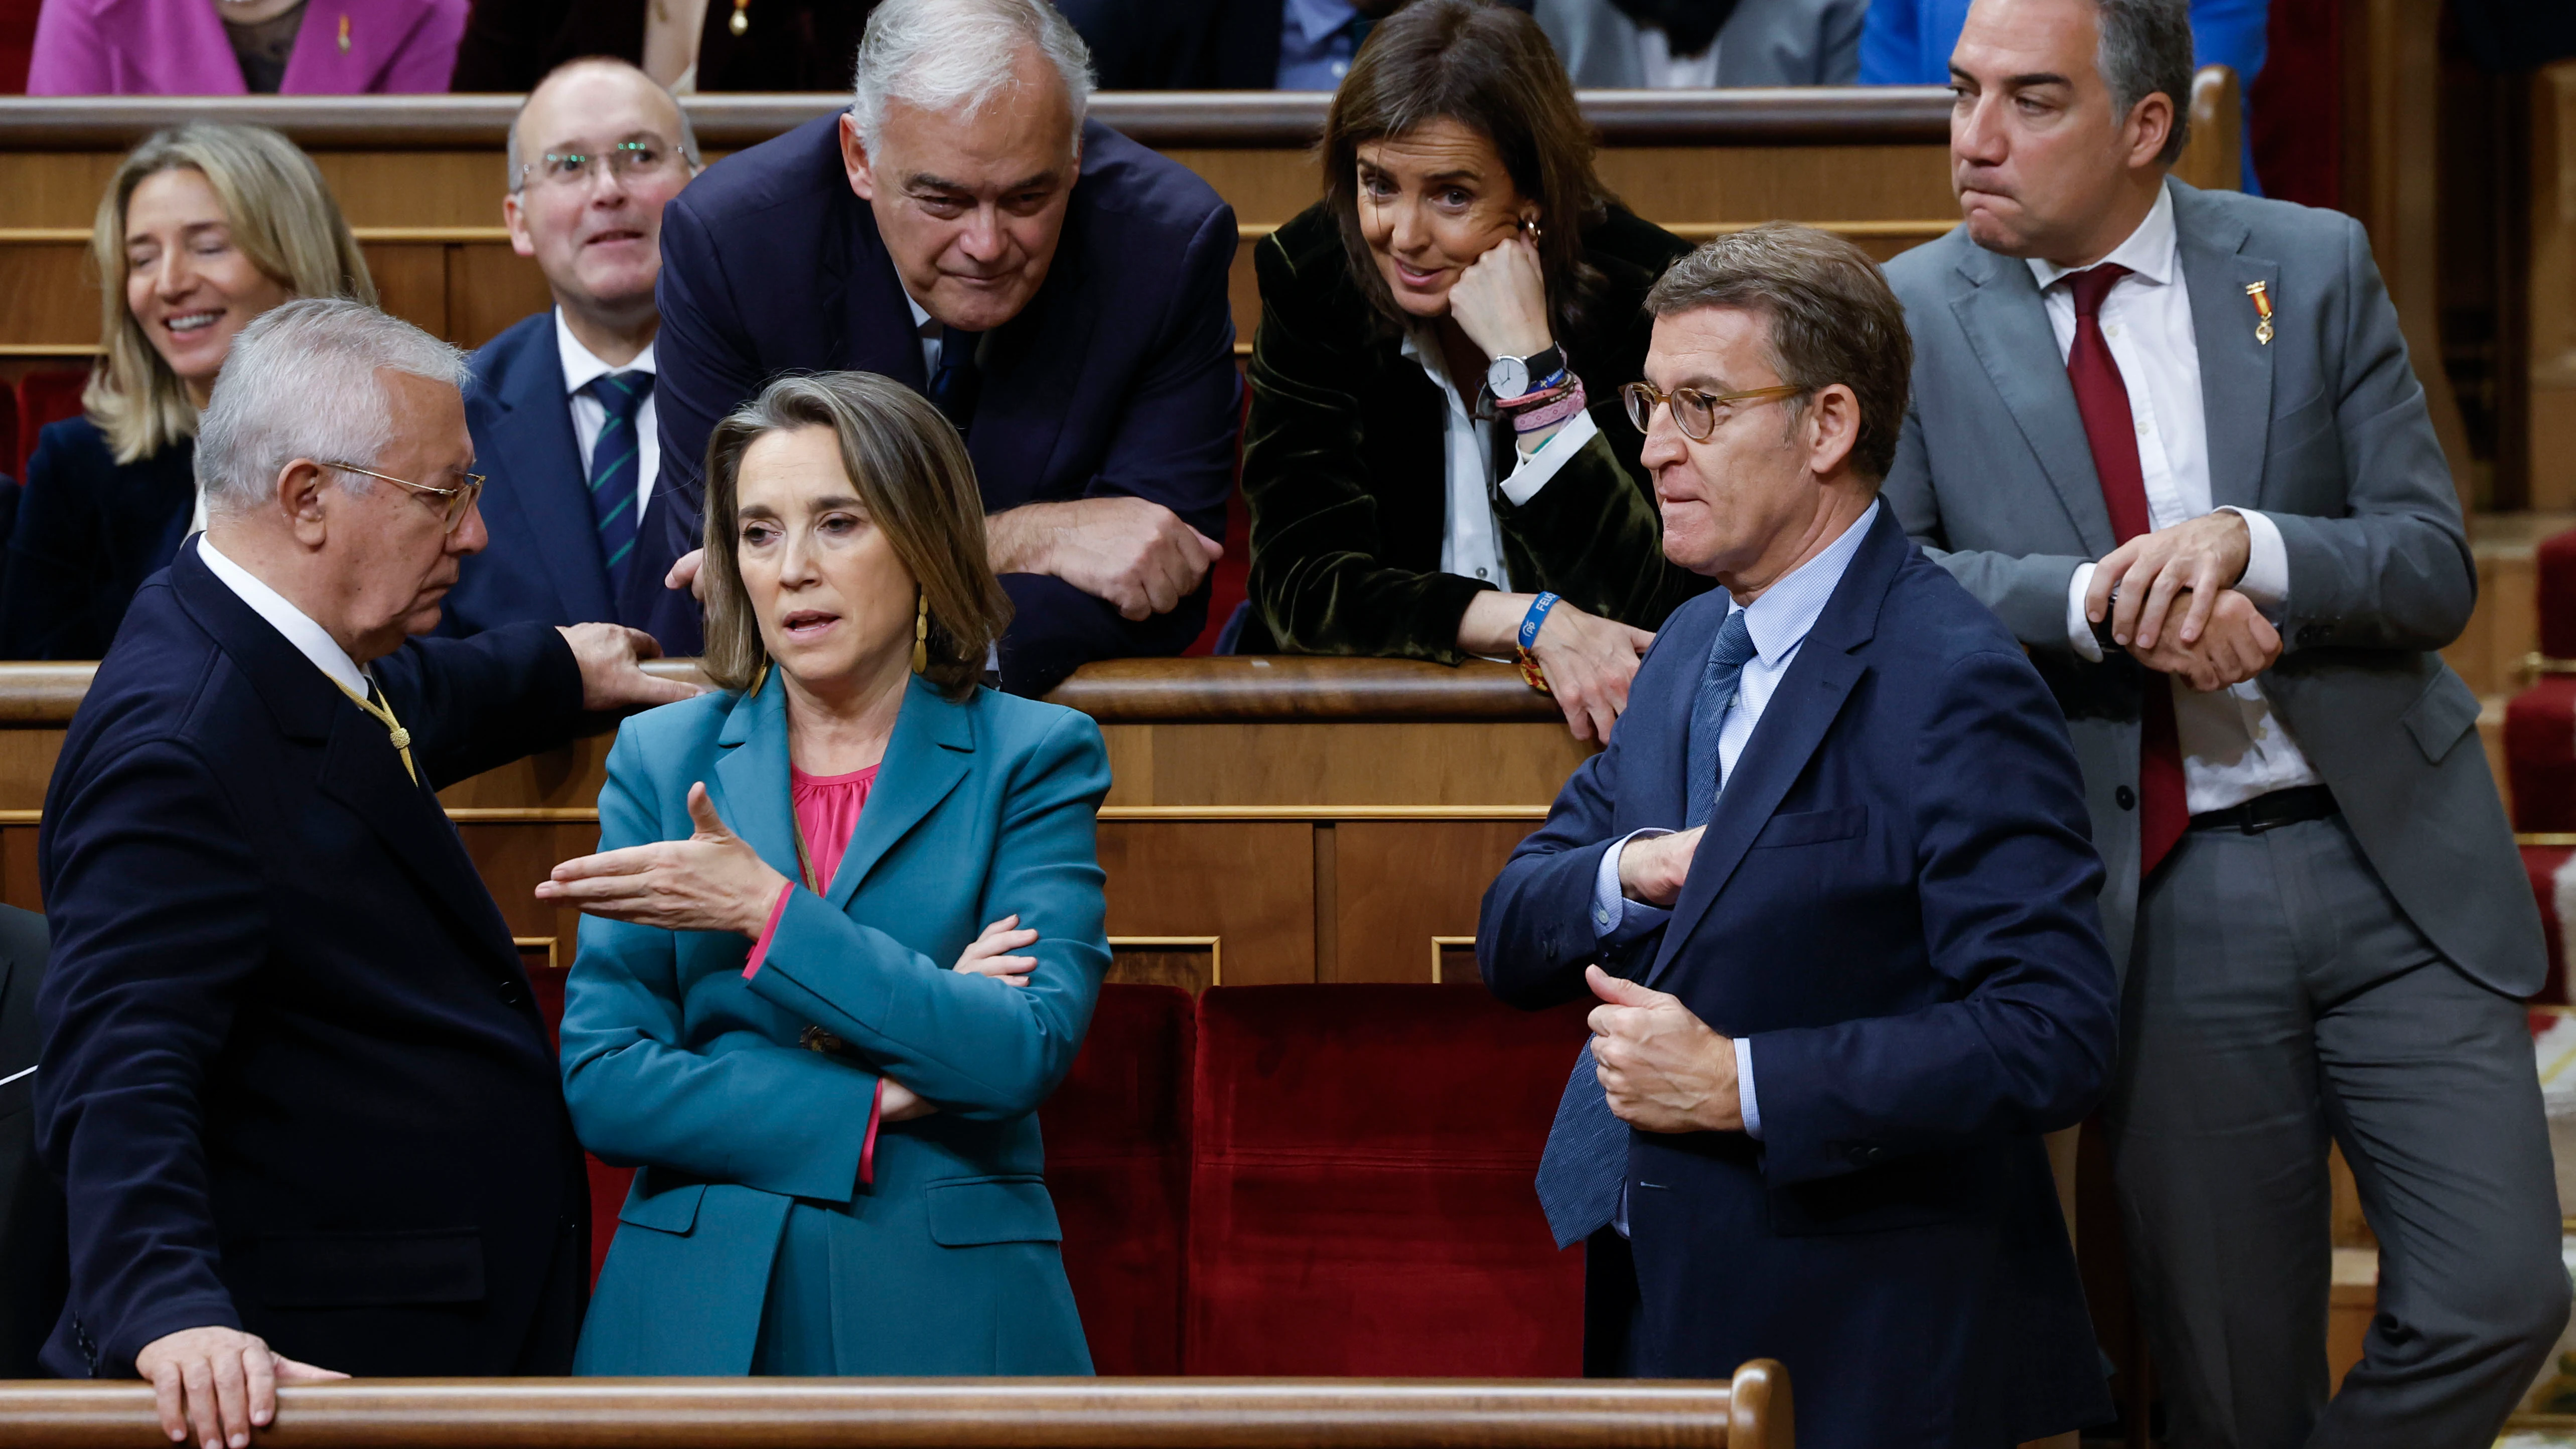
836, 1131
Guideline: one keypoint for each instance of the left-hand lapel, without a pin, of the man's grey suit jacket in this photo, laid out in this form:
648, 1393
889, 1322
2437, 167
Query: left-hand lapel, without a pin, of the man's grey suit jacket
2008, 326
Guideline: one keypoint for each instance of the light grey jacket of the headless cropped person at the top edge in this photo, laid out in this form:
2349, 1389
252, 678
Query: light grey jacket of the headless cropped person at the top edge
1766, 42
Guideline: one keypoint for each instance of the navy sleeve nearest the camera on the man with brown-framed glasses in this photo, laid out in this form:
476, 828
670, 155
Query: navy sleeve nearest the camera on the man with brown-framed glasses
2005, 881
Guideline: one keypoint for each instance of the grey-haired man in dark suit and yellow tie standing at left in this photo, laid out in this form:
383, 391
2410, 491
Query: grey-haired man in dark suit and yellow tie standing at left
295, 1082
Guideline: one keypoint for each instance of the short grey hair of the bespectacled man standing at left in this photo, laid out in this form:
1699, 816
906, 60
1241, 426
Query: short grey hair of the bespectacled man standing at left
303, 382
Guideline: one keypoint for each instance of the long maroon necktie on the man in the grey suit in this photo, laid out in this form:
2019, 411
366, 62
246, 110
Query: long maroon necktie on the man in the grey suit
2114, 436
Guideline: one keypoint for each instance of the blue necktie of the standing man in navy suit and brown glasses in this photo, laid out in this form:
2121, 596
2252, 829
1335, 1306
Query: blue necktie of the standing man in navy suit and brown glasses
1588, 1147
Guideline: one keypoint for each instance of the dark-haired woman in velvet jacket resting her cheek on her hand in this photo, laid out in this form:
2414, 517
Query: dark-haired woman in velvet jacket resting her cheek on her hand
1436, 457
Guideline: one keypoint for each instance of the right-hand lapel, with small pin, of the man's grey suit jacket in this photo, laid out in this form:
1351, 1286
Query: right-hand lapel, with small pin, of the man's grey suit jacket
2235, 369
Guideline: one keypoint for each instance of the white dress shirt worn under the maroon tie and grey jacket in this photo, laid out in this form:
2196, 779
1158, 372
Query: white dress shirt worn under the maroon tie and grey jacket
2235, 748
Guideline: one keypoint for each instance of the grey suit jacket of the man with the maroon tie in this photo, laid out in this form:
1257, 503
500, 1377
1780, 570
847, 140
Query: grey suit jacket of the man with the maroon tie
2325, 431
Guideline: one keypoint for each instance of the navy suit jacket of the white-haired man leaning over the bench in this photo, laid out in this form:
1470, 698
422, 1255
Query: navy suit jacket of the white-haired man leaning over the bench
1114, 380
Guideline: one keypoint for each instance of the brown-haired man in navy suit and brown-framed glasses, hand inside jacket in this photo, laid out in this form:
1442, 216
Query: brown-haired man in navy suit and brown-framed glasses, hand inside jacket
1833, 889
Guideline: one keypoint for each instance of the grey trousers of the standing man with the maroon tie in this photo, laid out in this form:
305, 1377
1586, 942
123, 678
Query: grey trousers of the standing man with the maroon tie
2281, 995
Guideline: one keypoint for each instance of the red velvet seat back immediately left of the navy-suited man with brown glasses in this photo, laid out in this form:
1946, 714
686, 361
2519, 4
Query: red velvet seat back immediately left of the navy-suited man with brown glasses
1361, 1198
